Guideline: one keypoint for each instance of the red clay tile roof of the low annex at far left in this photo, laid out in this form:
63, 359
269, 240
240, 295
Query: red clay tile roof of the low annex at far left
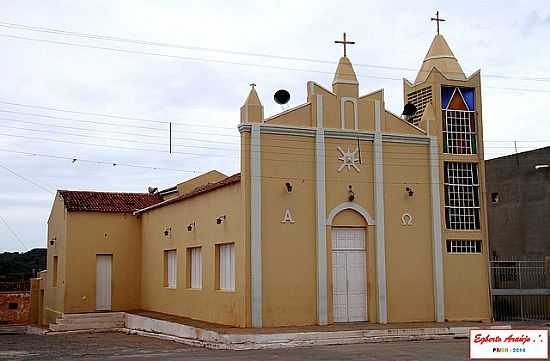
86, 201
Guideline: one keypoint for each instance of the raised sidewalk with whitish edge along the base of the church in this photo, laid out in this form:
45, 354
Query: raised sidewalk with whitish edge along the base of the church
204, 334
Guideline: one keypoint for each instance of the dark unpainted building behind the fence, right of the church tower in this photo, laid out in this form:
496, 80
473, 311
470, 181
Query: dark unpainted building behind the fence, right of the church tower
518, 197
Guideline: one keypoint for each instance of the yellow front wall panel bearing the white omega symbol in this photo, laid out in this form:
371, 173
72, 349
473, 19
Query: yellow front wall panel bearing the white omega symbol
409, 252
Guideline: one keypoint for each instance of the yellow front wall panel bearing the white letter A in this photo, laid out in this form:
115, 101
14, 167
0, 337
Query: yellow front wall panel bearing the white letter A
288, 250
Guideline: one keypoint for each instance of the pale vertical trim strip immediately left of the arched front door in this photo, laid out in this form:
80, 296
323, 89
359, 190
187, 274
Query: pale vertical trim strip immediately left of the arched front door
320, 196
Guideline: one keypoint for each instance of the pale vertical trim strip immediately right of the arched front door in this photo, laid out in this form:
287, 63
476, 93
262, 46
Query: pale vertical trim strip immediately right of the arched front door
379, 212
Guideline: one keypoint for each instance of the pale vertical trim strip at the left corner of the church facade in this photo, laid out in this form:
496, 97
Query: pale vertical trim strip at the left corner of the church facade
256, 226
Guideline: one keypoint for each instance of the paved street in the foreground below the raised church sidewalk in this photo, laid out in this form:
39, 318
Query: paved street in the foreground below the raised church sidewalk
117, 346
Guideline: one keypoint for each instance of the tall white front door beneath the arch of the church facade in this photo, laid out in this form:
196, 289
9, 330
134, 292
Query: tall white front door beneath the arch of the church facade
349, 275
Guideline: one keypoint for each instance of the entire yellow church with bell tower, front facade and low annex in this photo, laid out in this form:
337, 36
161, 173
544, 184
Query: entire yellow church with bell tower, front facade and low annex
343, 211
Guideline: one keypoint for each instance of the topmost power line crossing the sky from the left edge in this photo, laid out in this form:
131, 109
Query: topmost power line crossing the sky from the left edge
226, 51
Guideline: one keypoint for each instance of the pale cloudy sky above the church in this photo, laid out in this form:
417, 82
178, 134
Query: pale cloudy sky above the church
92, 113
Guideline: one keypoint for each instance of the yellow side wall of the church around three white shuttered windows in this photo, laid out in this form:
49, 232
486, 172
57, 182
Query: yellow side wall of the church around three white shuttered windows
208, 303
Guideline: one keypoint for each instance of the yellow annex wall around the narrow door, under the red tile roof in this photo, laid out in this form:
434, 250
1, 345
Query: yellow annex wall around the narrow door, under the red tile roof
91, 234
